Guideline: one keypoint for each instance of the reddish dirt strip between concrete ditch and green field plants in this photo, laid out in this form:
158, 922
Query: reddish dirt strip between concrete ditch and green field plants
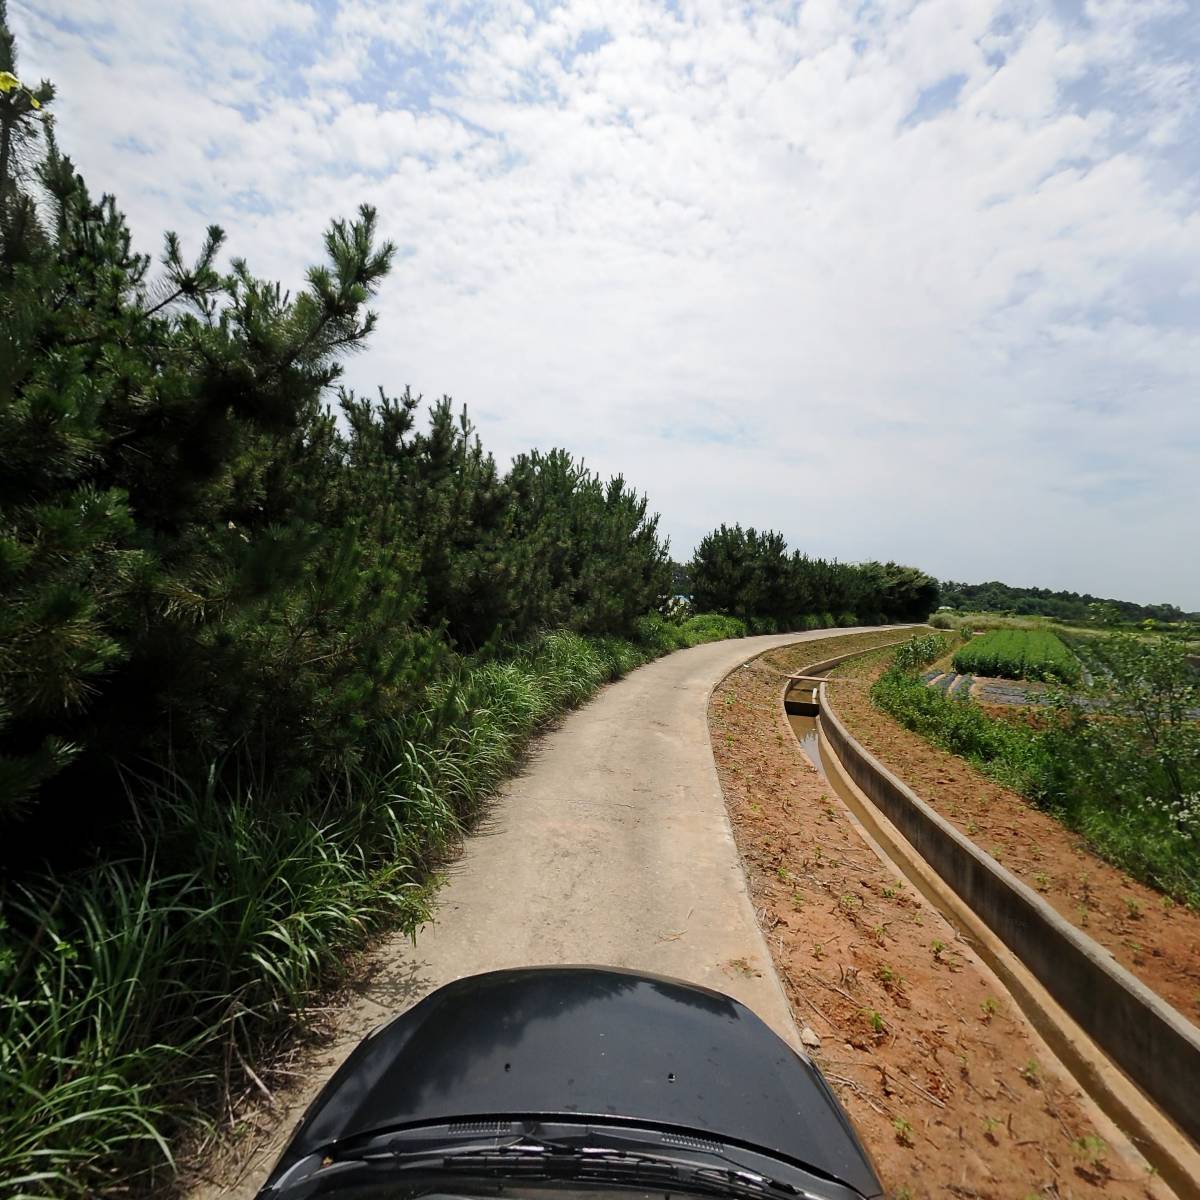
1156, 940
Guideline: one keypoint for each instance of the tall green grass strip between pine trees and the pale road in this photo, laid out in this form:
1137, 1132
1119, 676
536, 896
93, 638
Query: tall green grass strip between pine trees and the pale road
134, 994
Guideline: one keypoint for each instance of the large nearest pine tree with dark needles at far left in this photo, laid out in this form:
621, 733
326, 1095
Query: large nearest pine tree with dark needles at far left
184, 568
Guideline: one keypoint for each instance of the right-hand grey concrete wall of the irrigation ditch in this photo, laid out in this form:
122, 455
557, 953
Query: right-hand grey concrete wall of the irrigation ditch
1150, 1041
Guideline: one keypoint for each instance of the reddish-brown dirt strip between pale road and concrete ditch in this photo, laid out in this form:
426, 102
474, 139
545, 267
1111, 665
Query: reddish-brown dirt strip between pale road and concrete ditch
953, 1091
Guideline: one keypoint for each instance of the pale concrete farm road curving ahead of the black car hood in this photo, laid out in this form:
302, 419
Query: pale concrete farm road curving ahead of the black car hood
613, 847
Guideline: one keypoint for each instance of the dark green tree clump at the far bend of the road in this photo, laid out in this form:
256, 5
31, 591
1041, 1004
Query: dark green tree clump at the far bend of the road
753, 575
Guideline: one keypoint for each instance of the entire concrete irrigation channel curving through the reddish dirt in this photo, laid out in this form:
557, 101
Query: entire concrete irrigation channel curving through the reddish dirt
1133, 1054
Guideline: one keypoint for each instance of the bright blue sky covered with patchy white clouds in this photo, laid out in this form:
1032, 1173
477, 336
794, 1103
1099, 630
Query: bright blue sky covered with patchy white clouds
913, 280
